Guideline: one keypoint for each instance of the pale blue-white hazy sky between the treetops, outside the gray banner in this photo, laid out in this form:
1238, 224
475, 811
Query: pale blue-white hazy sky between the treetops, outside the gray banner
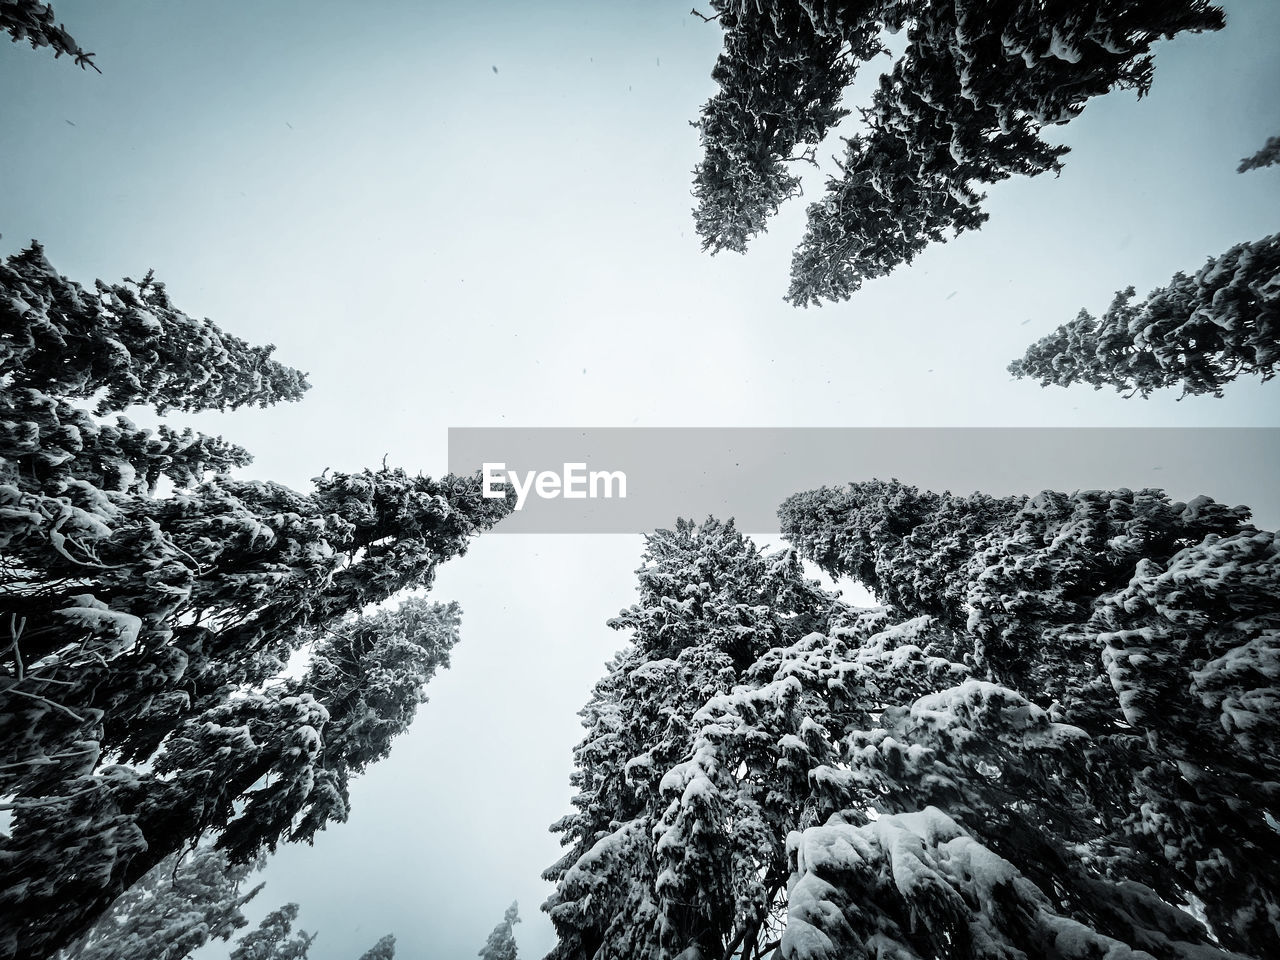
479, 216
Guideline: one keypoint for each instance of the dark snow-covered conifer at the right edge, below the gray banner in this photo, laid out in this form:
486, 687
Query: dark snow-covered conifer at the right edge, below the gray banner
1192, 652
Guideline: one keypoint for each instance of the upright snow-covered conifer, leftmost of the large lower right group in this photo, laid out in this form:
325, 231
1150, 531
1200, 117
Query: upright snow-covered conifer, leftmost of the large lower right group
630, 886
